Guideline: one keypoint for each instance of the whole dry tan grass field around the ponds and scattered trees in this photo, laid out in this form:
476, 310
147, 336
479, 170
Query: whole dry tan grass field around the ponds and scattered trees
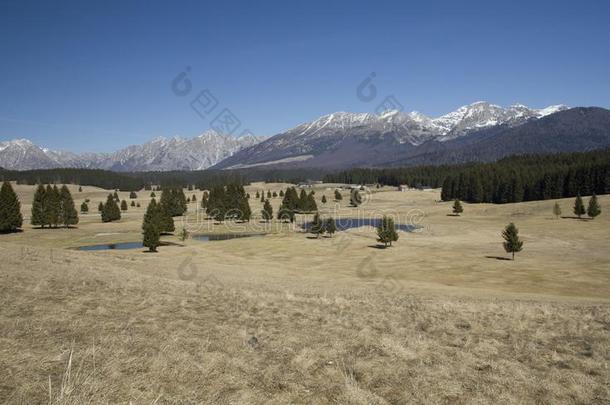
440, 317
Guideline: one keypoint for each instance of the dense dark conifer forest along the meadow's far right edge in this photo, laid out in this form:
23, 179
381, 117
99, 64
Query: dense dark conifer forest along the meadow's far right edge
513, 179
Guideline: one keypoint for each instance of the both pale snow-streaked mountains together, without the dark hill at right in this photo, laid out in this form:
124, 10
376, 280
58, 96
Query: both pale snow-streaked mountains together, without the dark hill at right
341, 136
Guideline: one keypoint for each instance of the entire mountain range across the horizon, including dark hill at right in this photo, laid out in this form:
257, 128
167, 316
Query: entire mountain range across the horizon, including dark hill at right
477, 132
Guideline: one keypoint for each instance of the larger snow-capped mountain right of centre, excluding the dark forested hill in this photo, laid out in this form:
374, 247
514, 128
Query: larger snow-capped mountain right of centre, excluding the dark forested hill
342, 139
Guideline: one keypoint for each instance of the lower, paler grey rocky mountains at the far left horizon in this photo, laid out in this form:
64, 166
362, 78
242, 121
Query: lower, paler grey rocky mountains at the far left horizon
160, 154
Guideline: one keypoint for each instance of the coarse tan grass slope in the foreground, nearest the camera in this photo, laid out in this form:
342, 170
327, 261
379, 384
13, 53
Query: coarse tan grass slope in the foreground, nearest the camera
87, 328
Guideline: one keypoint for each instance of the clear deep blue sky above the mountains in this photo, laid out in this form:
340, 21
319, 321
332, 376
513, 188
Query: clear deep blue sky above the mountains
96, 76
